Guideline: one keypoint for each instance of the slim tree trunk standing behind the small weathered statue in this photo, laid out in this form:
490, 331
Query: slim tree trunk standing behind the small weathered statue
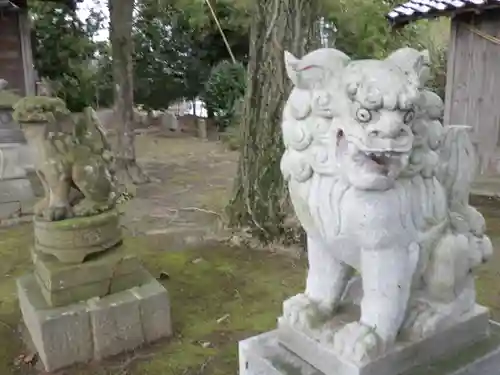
120, 13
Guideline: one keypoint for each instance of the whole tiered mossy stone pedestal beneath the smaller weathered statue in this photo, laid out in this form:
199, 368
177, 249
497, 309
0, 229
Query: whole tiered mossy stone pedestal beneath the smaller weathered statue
87, 299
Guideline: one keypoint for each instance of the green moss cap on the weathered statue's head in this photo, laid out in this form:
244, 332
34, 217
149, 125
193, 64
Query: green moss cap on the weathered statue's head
38, 109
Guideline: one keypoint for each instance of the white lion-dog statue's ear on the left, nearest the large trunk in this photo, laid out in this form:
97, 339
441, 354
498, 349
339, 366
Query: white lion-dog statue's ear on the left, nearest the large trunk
316, 69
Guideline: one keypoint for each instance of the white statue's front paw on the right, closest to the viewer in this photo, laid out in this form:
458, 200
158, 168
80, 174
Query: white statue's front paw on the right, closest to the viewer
357, 342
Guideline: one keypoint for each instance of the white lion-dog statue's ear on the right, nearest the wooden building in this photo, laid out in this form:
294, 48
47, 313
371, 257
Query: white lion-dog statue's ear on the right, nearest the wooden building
412, 62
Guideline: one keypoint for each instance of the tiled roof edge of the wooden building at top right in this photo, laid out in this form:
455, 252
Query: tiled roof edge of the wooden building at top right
418, 9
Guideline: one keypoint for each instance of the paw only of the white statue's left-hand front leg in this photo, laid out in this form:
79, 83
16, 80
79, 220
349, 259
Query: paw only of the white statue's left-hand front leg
301, 312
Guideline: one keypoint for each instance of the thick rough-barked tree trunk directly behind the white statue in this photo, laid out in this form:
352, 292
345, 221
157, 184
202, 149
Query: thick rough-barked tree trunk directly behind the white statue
261, 201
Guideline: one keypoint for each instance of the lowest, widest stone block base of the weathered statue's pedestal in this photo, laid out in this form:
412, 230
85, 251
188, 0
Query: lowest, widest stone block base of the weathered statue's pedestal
94, 329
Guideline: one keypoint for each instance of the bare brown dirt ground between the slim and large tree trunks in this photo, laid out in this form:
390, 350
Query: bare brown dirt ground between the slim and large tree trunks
192, 183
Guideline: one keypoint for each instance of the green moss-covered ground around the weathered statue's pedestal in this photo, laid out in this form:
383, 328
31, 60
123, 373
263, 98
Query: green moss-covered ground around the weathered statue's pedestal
219, 295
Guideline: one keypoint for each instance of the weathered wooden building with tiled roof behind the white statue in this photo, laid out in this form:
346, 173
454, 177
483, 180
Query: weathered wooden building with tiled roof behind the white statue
473, 70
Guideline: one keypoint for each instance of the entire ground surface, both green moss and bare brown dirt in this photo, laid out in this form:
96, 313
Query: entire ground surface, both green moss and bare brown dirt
219, 294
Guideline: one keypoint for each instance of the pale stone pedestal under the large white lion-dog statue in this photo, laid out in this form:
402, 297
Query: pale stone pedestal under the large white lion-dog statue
290, 351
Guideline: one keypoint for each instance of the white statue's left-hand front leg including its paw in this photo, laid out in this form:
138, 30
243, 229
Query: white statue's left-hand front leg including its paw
326, 282
